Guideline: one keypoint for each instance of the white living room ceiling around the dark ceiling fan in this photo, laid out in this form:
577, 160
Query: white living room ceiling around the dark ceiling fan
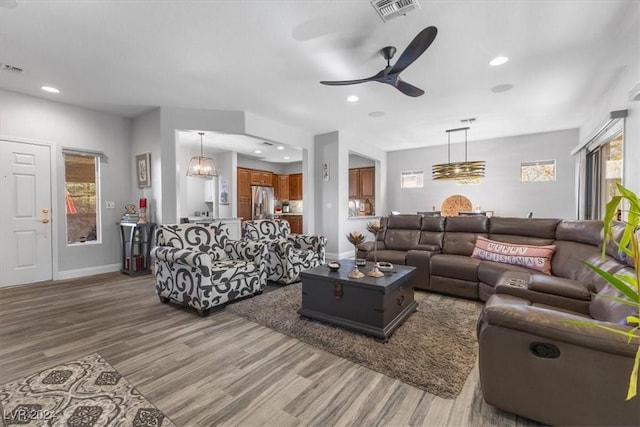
267, 57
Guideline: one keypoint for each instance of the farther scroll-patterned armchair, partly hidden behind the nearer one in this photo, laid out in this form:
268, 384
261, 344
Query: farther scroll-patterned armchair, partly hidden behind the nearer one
288, 254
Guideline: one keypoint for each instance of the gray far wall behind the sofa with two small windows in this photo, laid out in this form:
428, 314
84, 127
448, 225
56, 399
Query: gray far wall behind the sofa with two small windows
501, 191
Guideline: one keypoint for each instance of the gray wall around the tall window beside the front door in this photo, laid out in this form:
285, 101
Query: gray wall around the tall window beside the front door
63, 125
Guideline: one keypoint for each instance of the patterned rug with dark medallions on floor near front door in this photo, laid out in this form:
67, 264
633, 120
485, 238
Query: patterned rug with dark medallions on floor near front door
82, 393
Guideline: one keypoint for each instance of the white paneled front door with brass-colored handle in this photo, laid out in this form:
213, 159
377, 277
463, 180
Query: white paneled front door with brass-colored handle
25, 213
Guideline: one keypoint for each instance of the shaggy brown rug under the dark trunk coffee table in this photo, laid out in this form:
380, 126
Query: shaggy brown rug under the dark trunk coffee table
435, 349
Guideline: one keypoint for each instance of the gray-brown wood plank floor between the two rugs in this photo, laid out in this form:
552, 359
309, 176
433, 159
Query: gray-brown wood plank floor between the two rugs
219, 370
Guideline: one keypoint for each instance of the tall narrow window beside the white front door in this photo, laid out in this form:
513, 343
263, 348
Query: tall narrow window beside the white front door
82, 173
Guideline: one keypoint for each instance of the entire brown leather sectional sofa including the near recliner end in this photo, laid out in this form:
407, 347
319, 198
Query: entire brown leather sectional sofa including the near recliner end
532, 362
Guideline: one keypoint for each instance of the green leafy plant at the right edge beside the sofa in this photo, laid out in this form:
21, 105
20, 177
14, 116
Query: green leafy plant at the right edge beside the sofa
628, 285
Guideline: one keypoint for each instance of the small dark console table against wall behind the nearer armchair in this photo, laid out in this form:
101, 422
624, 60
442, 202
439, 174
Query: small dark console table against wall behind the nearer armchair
136, 245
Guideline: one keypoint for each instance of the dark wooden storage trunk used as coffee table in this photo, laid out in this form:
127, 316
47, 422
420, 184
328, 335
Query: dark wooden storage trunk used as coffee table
370, 305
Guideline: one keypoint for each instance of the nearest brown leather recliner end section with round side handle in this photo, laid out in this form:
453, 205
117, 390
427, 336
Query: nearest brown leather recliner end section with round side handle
532, 362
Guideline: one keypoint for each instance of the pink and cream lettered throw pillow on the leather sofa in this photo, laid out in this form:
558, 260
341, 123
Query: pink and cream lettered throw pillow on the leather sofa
534, 257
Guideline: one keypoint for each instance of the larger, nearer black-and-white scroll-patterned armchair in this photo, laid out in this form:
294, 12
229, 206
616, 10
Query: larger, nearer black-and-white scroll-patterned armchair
199, 266
